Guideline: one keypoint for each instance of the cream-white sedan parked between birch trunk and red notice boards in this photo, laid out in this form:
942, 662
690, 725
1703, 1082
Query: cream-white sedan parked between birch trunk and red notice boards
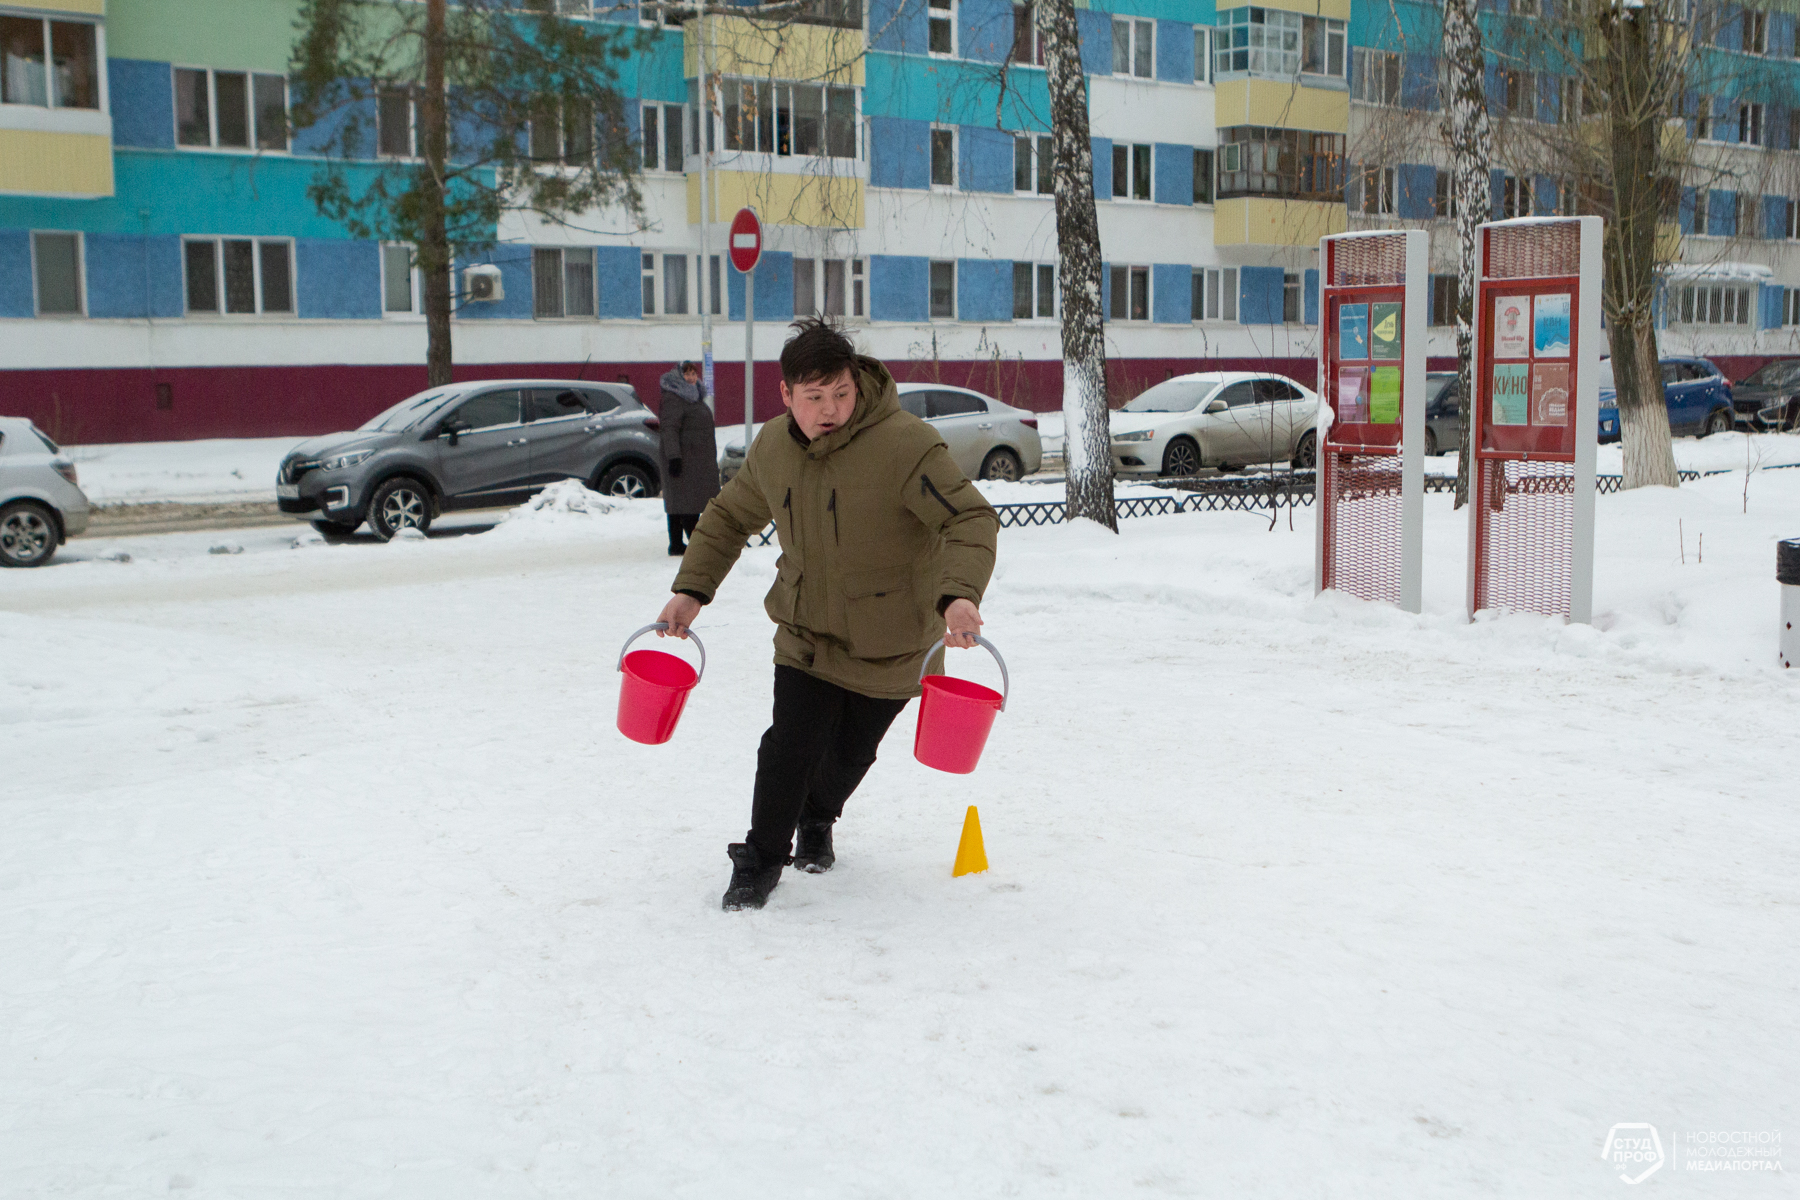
1216, 420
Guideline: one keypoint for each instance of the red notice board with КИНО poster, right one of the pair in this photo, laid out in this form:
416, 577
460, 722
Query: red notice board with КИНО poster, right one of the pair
1534, 416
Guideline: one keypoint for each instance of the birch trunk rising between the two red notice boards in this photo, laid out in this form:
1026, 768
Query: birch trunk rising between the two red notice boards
1471, 154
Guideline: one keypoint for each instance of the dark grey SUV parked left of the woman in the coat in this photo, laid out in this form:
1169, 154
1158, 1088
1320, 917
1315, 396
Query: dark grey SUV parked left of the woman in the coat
471, 445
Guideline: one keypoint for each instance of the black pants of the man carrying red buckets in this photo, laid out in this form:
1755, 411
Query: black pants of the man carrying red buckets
813, 758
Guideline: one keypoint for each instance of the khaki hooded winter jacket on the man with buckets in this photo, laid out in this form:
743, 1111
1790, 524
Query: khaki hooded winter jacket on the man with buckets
877, 528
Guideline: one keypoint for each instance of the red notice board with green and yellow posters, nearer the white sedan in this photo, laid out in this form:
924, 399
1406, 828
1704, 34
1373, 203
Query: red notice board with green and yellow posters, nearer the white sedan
1372, 407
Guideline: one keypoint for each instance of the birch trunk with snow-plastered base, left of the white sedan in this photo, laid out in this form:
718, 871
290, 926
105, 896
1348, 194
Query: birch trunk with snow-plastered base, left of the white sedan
1086, 443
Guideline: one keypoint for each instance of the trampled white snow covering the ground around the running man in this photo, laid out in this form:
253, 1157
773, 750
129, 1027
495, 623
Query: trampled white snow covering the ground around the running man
325, 873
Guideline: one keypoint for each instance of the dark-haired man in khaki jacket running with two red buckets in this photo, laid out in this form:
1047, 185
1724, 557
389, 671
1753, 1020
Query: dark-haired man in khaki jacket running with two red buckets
885, 550
